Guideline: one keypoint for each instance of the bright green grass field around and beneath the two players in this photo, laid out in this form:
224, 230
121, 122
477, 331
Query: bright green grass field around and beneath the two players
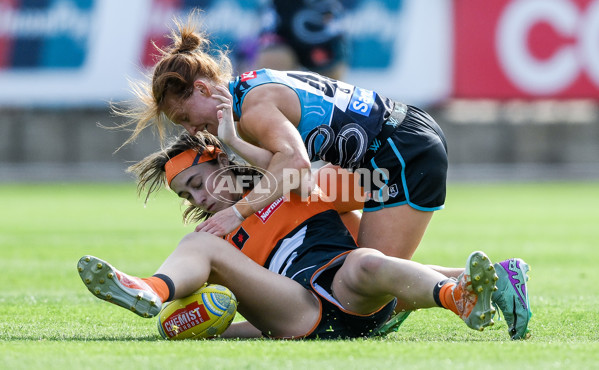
50, 320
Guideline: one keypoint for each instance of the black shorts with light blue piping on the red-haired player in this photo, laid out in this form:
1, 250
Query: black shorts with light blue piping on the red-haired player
410, 167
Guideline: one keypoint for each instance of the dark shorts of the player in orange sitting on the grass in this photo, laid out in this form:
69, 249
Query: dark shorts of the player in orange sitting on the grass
336, 322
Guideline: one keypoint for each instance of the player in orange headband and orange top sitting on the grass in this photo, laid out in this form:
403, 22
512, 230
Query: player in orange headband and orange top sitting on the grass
293, 266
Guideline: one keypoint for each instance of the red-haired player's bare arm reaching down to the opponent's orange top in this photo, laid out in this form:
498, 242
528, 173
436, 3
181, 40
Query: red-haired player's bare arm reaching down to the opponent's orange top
271, 114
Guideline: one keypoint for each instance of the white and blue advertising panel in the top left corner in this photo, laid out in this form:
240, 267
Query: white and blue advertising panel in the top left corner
68, 52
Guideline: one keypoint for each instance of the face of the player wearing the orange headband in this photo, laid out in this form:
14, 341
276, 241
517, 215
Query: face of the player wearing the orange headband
207, 186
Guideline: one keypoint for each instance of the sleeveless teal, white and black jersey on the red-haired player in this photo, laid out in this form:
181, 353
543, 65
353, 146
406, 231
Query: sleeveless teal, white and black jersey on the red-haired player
339, 121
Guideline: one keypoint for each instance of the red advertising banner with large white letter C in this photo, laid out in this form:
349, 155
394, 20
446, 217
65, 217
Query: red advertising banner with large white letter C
526, 49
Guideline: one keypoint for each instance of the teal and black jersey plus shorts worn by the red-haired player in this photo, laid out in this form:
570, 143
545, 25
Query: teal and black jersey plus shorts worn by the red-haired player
401, 148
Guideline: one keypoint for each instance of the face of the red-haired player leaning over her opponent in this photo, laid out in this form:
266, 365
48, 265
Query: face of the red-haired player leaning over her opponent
196, 113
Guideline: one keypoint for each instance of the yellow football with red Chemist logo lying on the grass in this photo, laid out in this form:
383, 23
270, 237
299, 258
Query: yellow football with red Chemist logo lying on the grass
206, 313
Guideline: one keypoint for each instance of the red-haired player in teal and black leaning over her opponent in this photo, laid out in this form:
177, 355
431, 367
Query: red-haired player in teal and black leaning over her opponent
281, 121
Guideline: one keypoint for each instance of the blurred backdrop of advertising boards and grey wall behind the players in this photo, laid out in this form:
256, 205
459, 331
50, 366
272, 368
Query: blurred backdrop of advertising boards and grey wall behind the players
513, 83
